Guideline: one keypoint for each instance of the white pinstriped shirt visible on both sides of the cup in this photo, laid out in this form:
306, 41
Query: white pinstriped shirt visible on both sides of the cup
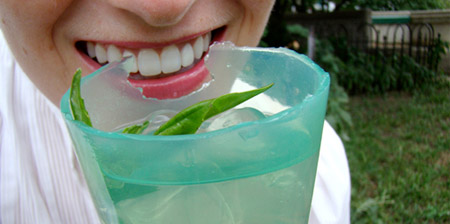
40, 181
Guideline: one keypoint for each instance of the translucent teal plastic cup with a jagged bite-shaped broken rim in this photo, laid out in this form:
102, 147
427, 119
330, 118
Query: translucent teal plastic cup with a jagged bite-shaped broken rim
261, 171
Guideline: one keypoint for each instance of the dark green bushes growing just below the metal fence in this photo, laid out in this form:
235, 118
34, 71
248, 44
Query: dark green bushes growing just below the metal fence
377, 72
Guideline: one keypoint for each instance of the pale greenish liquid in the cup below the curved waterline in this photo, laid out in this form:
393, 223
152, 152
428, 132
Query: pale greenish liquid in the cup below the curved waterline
281, 196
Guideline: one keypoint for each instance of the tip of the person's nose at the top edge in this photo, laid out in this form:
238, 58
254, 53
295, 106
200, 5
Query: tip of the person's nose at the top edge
156, 12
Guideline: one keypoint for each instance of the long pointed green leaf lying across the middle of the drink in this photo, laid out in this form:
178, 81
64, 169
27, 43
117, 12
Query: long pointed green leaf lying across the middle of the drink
189, 120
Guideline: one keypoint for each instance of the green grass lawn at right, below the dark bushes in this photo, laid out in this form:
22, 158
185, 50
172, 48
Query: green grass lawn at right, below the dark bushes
399, 157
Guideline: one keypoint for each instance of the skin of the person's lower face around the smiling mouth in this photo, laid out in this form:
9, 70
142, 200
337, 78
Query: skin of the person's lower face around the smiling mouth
42, 34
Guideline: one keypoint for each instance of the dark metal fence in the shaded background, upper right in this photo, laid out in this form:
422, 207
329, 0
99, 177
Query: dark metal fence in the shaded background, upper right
417, 41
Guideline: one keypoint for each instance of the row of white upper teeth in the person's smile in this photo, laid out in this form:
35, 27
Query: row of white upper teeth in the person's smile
149, 62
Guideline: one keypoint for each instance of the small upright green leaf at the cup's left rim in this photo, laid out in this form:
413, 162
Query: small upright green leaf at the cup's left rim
77, 107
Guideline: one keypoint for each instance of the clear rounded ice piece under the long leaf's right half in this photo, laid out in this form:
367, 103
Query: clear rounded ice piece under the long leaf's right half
231, 118
